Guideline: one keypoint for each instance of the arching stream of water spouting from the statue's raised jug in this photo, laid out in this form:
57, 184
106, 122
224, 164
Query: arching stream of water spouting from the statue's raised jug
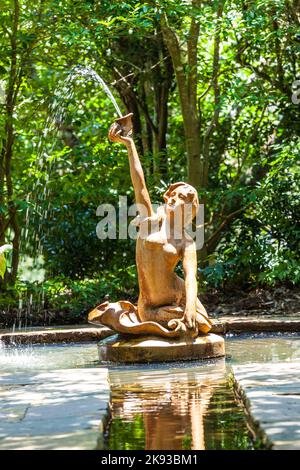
39, 207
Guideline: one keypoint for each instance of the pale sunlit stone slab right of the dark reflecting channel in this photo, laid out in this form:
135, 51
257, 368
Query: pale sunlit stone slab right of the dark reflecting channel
271, 395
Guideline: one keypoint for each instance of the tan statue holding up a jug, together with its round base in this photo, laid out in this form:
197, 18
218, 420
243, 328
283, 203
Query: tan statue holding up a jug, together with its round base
169, 323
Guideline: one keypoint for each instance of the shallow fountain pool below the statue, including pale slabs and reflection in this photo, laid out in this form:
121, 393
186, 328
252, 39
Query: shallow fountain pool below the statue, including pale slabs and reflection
168, 396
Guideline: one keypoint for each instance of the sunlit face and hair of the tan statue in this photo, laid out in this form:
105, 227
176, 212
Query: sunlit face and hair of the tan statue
179, 203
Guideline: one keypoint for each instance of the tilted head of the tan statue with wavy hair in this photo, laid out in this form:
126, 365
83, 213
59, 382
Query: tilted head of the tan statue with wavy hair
181, 201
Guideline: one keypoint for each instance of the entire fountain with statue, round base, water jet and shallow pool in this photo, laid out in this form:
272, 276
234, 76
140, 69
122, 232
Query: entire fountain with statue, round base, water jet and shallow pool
158, 406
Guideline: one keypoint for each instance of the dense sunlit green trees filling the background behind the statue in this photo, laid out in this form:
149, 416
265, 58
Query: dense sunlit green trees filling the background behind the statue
210, 85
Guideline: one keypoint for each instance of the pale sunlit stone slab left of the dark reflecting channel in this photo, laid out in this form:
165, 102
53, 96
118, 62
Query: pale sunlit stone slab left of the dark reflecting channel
63, 409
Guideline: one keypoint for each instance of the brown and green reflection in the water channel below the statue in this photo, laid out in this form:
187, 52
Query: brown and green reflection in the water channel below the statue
188, 407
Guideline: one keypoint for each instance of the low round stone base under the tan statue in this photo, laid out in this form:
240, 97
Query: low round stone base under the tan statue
153, 349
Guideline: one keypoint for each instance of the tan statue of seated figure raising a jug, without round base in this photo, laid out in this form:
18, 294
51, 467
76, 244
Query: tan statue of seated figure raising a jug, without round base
168, 305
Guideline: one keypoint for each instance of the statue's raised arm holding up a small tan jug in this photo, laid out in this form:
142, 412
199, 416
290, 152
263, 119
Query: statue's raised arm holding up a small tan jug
120, 132
